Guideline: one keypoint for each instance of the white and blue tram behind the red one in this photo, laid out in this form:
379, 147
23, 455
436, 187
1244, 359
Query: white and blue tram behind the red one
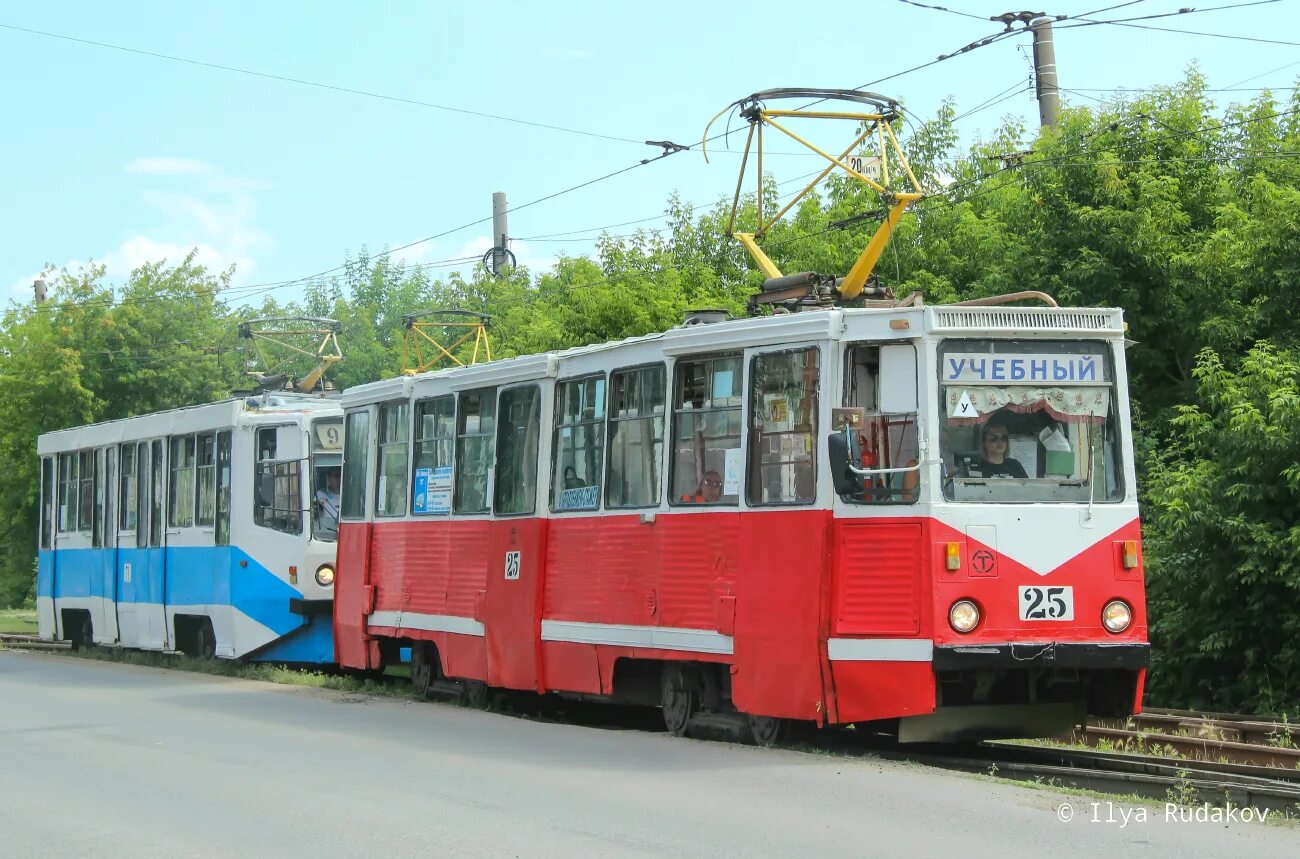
209, 531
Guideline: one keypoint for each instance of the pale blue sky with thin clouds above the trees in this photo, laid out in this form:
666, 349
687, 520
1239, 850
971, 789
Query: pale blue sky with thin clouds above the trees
122, 158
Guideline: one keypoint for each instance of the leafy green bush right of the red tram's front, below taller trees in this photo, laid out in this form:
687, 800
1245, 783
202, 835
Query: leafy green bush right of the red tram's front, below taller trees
1224, 539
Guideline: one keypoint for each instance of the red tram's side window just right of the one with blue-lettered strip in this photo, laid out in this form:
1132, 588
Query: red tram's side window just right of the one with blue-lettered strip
636, 437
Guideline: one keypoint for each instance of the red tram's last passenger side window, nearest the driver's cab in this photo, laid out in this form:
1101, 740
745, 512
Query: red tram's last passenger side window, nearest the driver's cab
783, 428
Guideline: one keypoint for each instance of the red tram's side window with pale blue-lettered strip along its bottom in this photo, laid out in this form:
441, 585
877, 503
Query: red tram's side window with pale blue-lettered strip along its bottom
579, 445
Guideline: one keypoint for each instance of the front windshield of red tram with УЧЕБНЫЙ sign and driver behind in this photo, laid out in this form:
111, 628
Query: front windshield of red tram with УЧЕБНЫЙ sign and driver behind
1029, 422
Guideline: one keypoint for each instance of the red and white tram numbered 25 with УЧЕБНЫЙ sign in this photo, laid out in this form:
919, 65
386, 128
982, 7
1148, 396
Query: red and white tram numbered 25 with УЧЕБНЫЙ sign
915, 514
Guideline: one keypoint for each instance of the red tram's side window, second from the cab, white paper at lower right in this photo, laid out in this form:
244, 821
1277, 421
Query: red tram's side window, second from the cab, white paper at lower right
708, 454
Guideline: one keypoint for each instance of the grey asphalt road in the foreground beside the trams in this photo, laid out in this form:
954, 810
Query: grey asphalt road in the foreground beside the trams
103, 760
